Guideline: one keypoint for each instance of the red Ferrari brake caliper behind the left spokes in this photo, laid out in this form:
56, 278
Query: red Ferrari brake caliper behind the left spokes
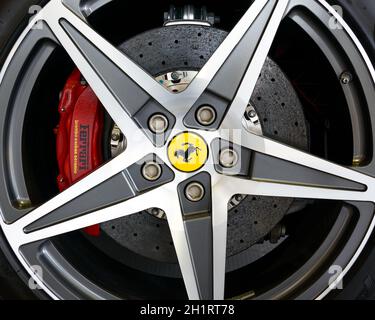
79, 135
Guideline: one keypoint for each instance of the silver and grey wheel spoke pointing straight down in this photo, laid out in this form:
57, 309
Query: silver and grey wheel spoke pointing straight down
199, 234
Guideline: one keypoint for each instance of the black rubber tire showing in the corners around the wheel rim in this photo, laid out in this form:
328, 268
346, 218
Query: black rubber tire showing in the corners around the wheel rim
359, 283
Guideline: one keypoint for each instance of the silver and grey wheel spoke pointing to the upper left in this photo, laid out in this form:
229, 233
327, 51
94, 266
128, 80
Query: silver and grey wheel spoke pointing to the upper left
122, 86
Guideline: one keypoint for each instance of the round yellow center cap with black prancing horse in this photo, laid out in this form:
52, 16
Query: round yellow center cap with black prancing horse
187, 152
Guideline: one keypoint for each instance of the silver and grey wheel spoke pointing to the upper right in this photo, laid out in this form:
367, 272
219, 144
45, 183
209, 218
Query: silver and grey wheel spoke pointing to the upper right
230, 76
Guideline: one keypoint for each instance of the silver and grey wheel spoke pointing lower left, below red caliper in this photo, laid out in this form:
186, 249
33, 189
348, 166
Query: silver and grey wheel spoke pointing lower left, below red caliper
108, 191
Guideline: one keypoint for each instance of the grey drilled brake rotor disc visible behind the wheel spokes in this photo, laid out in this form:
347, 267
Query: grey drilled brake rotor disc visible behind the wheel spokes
187, 48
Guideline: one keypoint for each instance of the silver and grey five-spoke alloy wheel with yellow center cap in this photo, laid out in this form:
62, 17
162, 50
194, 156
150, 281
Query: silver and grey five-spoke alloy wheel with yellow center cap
192, 187
